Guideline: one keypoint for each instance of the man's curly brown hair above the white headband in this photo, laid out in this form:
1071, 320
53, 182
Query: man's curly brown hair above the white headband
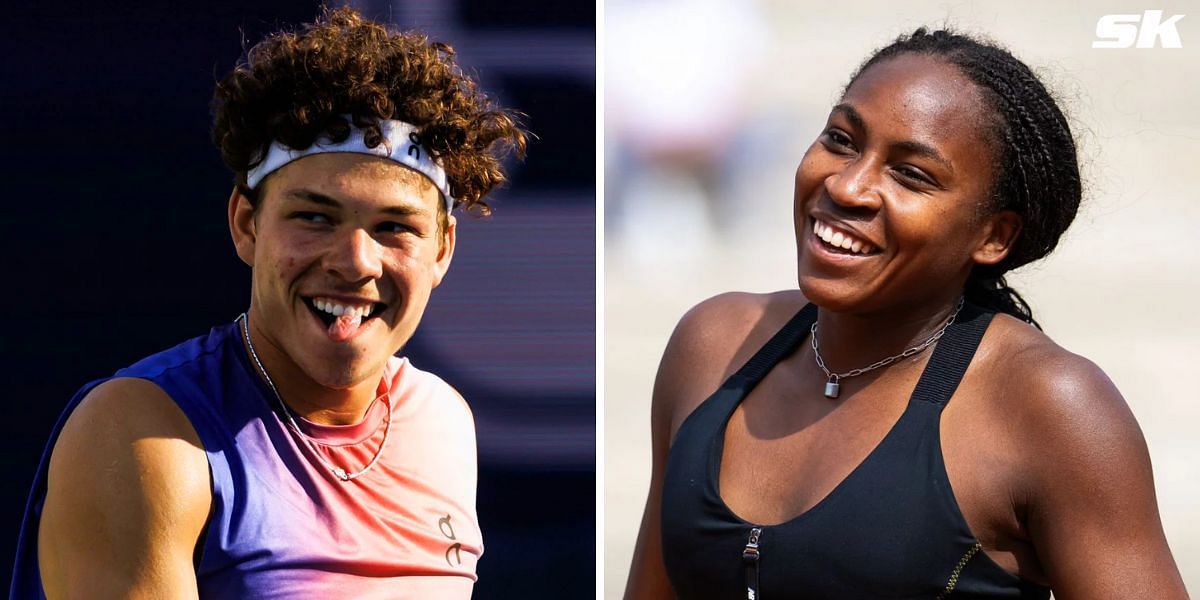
295, 87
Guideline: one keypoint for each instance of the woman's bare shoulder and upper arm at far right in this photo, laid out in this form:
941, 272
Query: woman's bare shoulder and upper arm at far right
1087, 484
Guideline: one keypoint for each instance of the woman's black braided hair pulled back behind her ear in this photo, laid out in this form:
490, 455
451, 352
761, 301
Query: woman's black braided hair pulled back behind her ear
1037, 171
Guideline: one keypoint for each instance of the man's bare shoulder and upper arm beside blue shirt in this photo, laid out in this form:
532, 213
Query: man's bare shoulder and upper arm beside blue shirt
128, 495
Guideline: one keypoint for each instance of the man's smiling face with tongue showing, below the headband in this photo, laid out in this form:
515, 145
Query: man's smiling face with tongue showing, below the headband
346, 250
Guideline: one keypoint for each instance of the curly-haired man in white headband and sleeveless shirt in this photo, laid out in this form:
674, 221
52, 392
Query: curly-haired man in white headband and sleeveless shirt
291, 454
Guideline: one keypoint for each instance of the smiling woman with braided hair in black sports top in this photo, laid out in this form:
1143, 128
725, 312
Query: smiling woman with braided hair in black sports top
901, 427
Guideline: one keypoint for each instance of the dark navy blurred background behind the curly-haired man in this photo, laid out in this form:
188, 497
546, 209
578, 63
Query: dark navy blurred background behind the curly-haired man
117, 245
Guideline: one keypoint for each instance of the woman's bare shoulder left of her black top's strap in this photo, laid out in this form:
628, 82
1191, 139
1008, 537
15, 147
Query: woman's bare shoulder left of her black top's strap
712, 341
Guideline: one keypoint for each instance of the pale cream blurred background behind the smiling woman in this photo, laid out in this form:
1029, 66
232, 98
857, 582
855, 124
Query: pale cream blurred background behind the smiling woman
709, 110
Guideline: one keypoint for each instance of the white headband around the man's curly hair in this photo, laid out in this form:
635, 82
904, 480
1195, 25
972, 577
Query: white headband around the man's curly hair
400, 145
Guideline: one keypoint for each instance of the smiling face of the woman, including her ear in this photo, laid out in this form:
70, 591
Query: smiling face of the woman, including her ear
891, 205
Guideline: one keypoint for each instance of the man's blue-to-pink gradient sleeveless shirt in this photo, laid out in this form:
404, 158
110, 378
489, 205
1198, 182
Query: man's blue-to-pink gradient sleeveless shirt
281, 526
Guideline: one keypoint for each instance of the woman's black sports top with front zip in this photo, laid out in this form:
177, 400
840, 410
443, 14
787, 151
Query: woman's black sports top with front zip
891, 530
